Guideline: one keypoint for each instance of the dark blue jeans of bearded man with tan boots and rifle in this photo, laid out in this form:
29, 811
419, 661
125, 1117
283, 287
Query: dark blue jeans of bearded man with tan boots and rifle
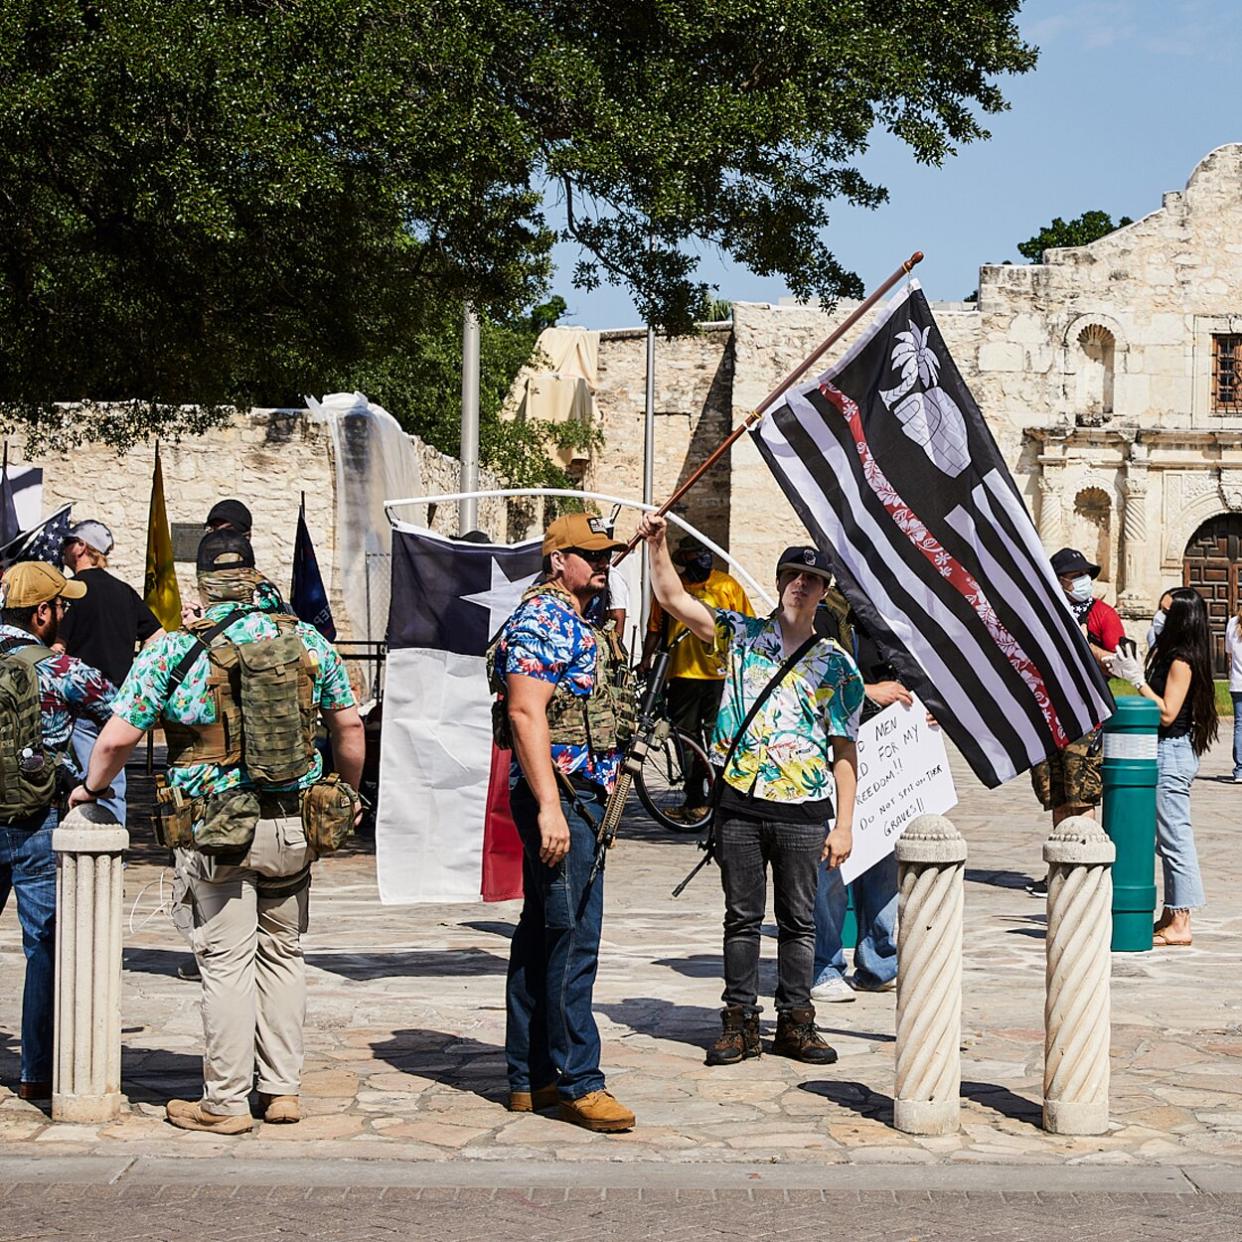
551, 1030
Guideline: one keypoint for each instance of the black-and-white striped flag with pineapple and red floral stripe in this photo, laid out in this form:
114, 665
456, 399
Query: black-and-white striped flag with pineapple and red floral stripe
892, 468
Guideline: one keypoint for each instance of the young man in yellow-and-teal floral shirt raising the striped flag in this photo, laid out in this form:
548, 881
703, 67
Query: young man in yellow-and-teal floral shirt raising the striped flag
776, 803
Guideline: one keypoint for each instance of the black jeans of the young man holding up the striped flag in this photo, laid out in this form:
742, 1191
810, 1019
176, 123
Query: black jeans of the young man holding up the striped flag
746, 848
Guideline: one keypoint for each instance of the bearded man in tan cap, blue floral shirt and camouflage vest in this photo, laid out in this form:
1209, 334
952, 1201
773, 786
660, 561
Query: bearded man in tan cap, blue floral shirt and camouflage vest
561, 710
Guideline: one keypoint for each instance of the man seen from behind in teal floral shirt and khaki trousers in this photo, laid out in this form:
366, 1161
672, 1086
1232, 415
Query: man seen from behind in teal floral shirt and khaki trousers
250, 911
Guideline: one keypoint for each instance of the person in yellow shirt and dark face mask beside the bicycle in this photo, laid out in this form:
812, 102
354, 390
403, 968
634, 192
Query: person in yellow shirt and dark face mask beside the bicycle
696, 675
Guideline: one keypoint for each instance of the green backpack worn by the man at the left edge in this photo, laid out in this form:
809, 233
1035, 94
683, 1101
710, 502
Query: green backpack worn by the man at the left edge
28, 772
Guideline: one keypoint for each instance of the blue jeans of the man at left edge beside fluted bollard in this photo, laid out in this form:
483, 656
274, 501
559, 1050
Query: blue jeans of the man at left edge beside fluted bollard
28, 868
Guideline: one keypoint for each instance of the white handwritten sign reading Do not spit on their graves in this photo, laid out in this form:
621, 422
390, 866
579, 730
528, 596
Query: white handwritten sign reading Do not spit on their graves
904, 773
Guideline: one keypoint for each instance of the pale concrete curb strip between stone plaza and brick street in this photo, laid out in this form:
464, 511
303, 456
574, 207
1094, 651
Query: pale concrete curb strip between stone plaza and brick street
120, 1172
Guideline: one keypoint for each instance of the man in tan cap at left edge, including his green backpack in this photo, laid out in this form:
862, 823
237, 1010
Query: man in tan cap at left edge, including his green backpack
43, 694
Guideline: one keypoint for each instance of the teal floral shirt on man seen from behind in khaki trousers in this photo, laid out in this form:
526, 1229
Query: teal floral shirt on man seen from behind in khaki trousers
145, 697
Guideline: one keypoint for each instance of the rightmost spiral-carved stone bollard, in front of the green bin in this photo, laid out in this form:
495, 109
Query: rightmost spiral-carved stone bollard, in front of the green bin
1076, 1012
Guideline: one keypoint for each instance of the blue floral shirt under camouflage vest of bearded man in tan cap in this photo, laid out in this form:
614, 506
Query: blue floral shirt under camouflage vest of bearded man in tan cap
548, 640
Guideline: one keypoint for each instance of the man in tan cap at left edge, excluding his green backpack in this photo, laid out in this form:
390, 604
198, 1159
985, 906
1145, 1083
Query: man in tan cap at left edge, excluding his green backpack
35, 599
